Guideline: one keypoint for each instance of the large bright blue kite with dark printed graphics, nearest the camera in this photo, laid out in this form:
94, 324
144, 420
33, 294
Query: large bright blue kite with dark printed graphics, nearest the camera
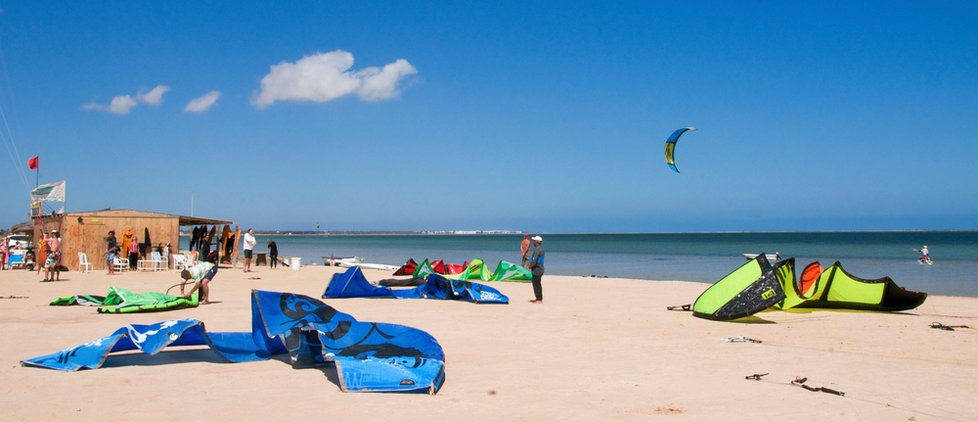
369, 356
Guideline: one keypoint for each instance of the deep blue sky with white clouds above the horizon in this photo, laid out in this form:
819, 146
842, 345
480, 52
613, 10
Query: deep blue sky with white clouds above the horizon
541, 116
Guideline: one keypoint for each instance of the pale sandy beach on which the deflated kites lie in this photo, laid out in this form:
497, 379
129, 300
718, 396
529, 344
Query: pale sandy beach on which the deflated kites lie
597, 349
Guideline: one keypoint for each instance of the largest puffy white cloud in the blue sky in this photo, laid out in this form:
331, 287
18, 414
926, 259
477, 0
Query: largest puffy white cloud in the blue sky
324, 77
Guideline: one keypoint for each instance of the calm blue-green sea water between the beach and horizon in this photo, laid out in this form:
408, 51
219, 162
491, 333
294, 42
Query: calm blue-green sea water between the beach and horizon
701, 257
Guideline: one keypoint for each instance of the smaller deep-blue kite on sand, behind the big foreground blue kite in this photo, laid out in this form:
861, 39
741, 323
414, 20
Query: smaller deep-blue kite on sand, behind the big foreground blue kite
353, 283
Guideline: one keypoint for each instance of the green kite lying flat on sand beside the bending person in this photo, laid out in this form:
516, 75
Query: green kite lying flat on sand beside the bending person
122, 301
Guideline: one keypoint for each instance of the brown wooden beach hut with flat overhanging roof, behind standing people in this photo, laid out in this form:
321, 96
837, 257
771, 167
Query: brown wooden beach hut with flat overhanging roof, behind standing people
86, 231
